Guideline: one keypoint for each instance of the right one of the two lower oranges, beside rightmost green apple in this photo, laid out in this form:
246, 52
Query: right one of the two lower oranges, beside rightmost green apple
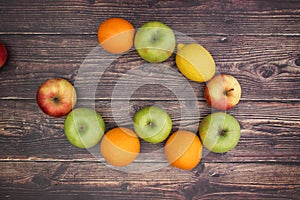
183, 150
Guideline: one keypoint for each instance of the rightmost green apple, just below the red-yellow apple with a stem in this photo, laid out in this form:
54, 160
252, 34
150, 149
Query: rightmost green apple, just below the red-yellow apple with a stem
219, 132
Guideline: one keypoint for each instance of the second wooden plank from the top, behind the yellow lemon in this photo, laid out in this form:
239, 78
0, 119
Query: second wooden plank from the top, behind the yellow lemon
267, 68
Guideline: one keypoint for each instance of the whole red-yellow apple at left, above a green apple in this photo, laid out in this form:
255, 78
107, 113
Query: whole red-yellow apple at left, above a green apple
56, 97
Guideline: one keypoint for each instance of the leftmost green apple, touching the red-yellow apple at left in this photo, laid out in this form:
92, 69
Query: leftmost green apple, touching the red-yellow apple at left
84, 127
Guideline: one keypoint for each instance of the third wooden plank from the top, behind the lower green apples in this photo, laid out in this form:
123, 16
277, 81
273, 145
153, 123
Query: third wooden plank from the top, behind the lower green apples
270, 131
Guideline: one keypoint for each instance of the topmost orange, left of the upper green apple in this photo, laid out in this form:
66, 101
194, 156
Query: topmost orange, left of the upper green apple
115, 35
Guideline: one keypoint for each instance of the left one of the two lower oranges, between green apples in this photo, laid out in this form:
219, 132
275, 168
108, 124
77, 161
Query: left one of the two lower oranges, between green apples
120, 146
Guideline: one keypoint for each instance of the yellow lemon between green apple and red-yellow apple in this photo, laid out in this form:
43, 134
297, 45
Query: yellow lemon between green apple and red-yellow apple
195, 62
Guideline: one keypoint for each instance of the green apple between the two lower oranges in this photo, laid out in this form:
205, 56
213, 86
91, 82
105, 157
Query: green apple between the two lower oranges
152, 124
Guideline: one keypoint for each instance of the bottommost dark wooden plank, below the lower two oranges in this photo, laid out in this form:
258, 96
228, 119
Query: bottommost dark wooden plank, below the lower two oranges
64, 180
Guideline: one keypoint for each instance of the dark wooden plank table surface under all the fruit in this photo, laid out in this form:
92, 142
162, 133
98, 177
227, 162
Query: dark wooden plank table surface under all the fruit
256, 41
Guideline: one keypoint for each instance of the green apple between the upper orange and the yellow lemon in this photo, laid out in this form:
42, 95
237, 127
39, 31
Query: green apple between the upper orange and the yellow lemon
155, 42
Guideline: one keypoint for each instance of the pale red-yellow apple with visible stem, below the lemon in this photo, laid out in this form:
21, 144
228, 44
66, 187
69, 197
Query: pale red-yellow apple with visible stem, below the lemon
223, 92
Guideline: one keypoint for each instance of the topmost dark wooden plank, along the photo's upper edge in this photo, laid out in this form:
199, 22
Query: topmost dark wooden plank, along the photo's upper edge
201, 17
